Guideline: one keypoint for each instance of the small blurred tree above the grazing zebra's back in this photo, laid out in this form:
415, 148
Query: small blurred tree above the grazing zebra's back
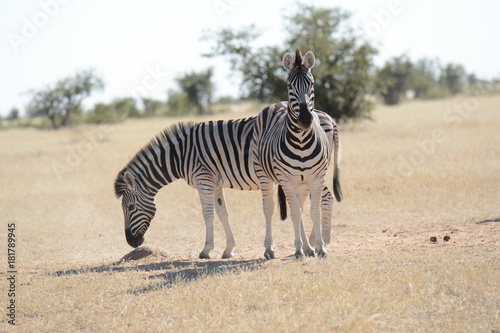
198, 88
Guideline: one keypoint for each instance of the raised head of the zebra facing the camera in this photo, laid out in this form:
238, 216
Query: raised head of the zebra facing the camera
300, 84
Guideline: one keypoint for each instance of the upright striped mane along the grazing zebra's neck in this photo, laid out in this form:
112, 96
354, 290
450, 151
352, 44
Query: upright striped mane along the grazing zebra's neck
178, 130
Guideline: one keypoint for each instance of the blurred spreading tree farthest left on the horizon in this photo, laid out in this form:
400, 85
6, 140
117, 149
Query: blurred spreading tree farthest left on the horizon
65, 98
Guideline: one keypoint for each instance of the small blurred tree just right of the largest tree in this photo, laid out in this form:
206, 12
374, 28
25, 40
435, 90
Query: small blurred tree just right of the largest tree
394, 79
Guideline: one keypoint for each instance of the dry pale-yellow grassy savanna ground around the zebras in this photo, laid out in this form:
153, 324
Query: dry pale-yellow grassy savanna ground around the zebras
419, 170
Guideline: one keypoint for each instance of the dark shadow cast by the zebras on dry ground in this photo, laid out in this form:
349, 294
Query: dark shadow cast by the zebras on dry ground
166, 273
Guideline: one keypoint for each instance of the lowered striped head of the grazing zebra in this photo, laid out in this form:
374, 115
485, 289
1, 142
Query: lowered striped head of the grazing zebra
138, 207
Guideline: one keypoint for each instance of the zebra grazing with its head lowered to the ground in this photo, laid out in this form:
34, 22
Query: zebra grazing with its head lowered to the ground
209, 156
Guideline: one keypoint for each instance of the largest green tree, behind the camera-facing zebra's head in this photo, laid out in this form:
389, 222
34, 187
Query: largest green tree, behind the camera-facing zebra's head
344, 60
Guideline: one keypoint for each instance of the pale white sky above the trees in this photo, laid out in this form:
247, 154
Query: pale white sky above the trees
140, 47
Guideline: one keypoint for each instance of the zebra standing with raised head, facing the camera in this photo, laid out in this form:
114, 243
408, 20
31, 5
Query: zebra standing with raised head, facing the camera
292, 146
